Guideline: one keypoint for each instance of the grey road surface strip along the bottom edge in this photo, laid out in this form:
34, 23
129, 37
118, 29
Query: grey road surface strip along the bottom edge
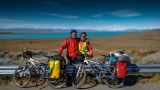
139, 86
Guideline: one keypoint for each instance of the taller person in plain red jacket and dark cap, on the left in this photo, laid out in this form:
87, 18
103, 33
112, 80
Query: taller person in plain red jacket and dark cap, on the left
72, 46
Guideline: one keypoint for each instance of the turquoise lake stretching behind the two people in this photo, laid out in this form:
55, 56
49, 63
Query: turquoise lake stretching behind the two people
57, 35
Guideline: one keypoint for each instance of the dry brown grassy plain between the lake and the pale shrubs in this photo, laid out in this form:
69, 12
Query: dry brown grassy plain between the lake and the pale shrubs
148, 40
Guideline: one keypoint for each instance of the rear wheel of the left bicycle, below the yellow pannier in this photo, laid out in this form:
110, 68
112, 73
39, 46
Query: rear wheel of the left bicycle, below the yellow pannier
57, 82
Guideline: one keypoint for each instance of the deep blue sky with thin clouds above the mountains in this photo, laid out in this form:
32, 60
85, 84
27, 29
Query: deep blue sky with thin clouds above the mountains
80, 14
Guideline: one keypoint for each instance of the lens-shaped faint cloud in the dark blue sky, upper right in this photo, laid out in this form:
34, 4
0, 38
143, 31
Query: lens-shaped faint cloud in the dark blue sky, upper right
125, 13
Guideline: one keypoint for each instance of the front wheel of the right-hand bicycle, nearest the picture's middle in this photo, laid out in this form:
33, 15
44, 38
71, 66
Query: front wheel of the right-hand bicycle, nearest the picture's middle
79, 78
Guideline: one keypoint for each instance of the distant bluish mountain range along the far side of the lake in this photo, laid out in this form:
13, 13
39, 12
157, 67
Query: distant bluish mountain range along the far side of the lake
29, 30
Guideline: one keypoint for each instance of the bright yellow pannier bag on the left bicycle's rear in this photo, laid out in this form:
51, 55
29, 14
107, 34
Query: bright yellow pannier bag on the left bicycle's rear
55, 67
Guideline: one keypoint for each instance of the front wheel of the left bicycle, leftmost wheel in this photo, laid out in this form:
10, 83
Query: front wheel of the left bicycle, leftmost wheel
22, 76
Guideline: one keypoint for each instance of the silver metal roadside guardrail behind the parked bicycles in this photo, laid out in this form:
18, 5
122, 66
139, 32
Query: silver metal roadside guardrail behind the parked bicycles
131, 69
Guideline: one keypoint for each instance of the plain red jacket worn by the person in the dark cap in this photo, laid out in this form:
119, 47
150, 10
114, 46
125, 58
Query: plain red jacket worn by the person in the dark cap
72, 45
